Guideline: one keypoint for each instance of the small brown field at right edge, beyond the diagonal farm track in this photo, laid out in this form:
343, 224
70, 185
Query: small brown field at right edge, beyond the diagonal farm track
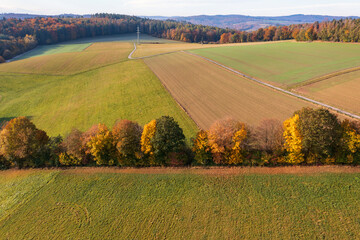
341, 91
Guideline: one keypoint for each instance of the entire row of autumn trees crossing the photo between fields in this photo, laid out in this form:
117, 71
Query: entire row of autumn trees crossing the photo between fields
310, 136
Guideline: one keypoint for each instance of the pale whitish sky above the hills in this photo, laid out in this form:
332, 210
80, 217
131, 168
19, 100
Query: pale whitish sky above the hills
184, 7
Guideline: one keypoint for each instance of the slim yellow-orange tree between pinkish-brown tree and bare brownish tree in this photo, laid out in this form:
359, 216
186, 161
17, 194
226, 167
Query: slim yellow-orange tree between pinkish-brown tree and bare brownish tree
237, 156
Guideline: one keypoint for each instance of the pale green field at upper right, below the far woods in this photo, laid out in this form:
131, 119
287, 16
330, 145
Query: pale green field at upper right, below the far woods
286, 63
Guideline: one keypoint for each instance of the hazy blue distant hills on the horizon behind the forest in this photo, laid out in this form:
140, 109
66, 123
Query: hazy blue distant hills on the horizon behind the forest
250, 23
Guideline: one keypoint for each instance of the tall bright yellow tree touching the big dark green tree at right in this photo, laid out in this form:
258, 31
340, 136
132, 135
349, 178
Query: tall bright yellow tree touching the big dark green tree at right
293, 140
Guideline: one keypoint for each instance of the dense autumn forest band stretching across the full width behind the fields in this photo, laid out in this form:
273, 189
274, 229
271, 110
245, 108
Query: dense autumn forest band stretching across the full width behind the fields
20, 35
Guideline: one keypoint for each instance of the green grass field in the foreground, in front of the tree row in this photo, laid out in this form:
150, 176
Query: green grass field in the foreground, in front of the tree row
178, 204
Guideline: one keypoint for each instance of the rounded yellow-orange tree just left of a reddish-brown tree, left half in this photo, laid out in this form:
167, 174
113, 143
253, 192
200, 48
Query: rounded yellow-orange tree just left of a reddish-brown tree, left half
101, 146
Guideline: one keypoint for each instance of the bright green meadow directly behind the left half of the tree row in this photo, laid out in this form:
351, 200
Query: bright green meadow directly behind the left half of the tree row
127, 90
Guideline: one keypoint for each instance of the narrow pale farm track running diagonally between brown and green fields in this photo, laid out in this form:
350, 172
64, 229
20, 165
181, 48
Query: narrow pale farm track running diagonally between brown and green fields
275, 88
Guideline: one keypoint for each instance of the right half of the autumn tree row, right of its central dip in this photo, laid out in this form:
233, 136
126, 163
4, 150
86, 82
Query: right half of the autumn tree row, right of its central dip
308, 137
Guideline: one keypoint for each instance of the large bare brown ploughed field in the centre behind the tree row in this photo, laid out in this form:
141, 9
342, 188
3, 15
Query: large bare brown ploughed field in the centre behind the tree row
209, 93
